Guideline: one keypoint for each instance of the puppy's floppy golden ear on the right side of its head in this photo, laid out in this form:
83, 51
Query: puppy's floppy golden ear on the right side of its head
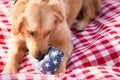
56, 10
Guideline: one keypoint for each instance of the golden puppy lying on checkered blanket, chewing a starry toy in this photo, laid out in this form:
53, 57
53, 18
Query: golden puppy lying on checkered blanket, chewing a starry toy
38, 24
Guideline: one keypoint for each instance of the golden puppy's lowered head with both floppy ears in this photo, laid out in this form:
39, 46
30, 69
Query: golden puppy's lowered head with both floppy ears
36, 25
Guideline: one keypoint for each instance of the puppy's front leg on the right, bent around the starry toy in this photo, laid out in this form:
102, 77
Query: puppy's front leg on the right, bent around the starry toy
63, 42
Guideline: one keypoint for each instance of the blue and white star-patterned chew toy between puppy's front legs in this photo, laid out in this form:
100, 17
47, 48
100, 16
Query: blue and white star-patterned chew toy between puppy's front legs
50, 62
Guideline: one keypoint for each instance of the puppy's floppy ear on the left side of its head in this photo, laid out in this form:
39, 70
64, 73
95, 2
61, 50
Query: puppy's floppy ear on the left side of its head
17, 25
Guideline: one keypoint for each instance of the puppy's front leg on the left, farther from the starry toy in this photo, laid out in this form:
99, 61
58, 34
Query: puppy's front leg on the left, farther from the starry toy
15, 54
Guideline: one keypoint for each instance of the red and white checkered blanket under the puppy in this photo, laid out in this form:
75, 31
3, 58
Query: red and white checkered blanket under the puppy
96, 53
